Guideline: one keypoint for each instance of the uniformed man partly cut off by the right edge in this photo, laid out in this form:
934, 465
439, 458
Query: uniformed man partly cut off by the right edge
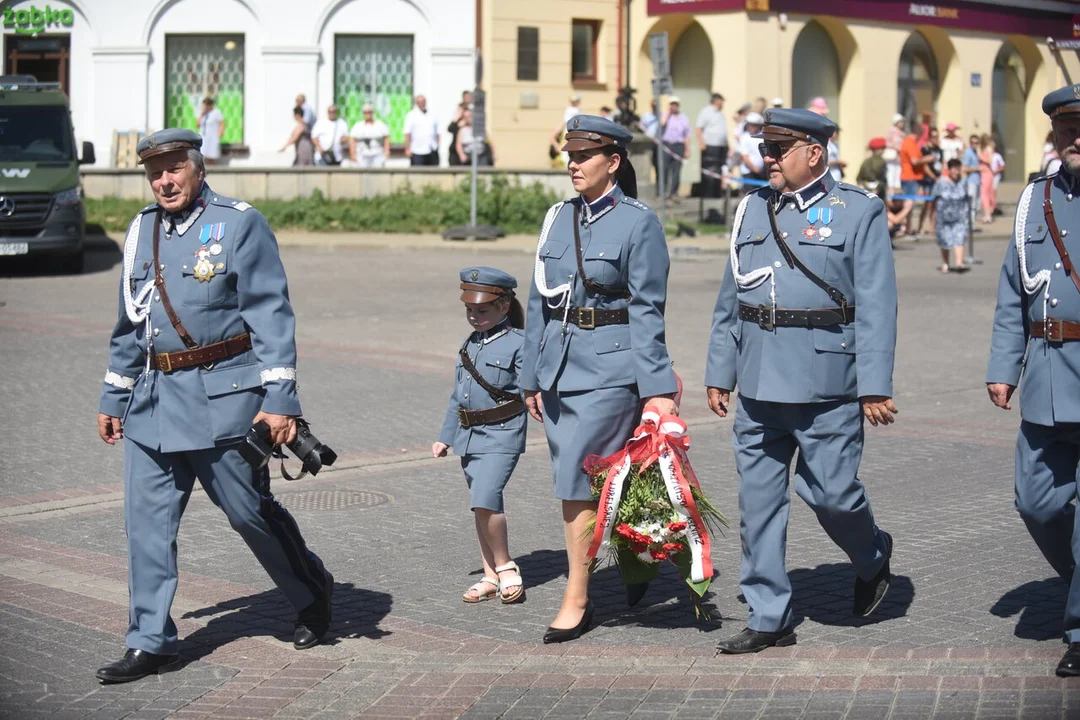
1036, 329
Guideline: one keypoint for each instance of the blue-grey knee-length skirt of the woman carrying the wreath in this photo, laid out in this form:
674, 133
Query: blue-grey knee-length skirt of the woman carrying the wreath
579, 425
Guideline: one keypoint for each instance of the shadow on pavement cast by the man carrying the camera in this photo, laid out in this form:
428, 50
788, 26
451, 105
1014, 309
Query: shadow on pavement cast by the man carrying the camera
357, 614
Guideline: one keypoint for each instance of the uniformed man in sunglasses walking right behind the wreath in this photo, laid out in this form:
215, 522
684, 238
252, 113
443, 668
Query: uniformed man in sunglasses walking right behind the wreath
806, 327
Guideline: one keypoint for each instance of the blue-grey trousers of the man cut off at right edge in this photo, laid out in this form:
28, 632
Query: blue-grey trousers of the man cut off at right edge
1047, 465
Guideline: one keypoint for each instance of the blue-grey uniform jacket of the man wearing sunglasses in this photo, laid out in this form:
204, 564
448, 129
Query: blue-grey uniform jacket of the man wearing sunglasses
840, 233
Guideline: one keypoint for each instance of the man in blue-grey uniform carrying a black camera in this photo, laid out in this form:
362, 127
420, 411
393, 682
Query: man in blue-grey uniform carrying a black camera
202, 349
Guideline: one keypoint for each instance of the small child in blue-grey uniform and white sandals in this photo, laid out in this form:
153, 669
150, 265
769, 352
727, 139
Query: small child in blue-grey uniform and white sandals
487, 423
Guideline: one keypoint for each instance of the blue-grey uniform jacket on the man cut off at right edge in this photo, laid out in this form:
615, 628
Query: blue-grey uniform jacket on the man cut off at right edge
1034, 287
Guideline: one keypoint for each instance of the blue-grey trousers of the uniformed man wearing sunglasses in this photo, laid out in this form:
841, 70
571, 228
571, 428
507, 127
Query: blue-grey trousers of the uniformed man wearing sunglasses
830, 440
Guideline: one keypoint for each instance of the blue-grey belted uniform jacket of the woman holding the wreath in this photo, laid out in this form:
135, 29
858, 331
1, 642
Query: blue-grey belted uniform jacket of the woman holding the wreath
624, 249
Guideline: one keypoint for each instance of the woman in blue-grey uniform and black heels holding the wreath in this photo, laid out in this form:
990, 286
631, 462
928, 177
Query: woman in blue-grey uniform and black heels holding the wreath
595, 343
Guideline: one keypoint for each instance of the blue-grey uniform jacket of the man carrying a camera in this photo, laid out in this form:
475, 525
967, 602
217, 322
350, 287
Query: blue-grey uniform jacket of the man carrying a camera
199, 407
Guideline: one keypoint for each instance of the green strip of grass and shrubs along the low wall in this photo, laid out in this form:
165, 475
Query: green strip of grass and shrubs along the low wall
516, 209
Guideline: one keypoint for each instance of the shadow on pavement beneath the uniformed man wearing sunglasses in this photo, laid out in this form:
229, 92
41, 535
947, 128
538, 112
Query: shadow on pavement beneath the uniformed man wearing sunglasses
825, 595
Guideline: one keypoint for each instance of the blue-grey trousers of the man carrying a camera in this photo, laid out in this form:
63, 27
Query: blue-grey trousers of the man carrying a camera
157, 490
